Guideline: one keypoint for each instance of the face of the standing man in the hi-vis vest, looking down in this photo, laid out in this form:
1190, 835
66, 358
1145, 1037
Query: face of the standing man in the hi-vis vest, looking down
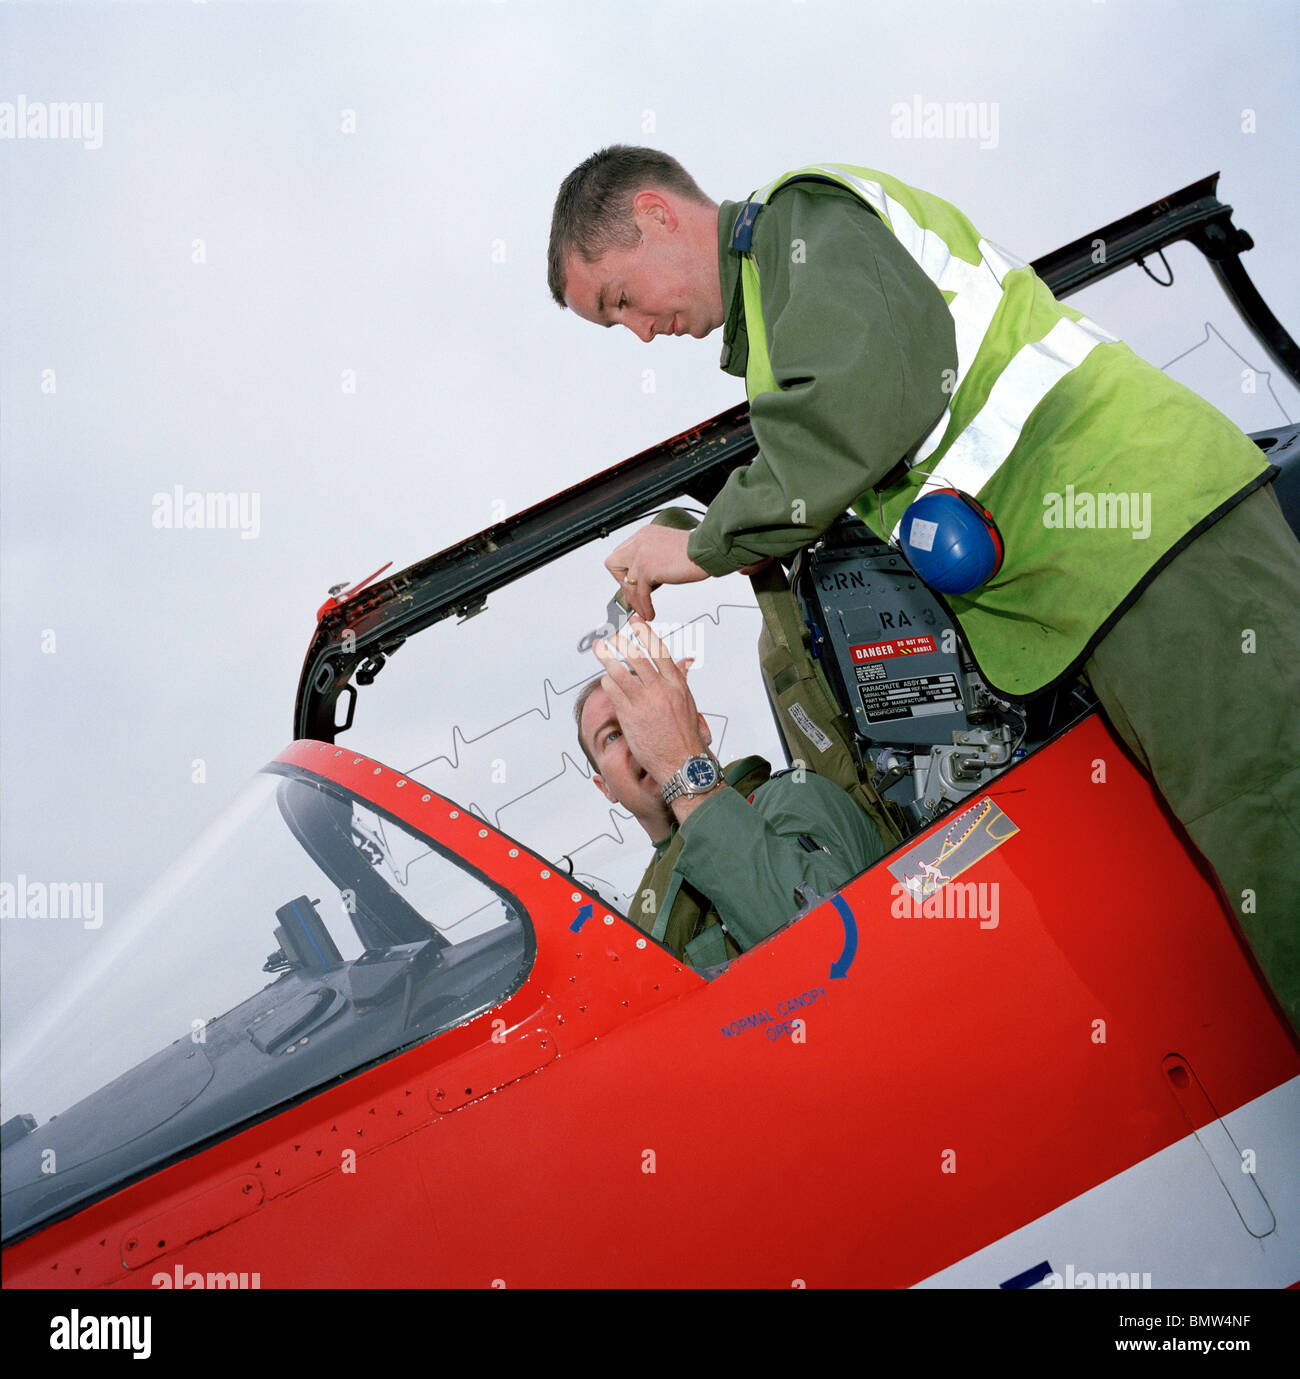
668, 285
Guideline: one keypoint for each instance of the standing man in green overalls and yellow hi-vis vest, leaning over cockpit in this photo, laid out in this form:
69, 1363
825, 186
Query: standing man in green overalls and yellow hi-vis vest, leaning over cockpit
888, 348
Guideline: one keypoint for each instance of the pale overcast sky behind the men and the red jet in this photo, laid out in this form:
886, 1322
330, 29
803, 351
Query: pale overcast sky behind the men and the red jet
413, 253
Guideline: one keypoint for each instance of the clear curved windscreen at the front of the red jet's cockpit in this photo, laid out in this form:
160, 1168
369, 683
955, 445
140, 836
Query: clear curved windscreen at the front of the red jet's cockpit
307, 936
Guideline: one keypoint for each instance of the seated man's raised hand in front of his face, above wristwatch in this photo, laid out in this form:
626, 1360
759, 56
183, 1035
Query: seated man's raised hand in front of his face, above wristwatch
657, 711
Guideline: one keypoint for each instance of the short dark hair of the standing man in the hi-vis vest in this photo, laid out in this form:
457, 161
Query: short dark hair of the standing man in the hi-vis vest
593, 210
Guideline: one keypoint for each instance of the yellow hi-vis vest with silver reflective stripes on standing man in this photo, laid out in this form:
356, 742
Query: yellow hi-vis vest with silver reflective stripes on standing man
1097, 467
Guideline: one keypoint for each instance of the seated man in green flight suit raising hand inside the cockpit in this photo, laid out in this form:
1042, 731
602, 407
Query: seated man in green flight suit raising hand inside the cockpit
735, 858
